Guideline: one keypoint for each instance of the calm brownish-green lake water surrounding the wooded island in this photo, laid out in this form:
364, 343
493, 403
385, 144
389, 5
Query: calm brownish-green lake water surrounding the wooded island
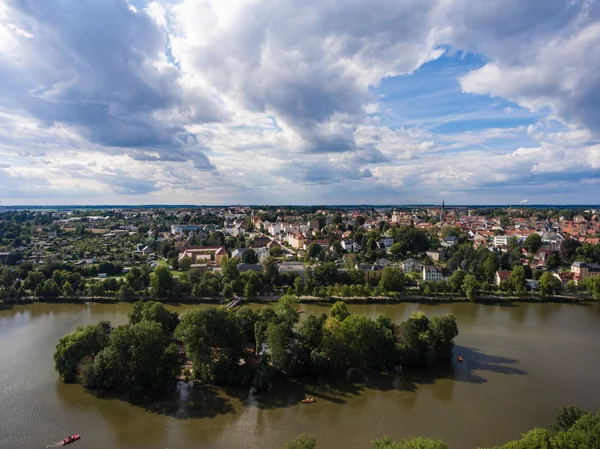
521, 360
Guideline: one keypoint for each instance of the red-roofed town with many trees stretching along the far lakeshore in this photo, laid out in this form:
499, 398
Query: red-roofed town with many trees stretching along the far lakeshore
189, 253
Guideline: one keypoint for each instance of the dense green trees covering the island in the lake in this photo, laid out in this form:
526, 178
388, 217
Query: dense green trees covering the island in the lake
245, 346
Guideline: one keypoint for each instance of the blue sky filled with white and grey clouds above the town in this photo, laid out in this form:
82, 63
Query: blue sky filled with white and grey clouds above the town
299, 102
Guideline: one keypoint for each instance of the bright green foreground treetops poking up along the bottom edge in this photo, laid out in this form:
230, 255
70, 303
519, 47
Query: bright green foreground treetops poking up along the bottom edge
574, 429
